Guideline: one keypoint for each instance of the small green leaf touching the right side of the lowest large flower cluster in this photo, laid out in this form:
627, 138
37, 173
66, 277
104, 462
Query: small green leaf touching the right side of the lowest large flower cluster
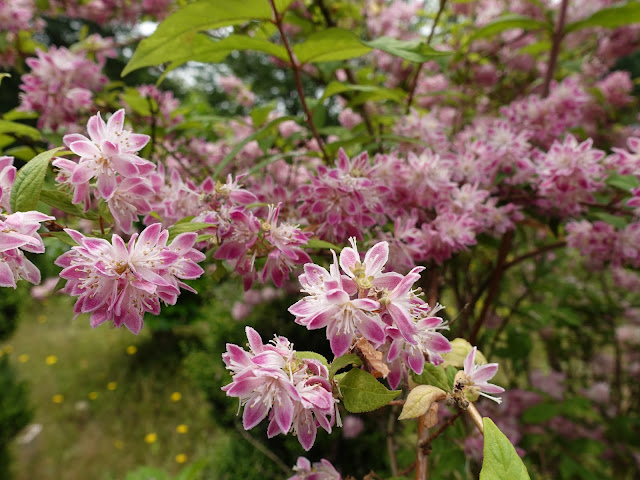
361, 392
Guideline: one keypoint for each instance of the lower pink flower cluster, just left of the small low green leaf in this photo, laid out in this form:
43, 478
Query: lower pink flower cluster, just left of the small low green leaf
272, 379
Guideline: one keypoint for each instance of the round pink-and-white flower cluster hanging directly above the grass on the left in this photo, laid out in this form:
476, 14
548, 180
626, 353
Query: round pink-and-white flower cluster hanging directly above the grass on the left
120, 283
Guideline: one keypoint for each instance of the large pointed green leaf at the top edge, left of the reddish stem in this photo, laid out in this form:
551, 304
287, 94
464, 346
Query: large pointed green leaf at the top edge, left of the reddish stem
177, 36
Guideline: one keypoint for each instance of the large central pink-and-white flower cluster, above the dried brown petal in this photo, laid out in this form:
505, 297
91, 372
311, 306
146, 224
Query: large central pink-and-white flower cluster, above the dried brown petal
362, 301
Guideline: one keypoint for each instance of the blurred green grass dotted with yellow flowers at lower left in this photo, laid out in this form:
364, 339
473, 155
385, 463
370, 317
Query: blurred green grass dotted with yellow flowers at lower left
97, 400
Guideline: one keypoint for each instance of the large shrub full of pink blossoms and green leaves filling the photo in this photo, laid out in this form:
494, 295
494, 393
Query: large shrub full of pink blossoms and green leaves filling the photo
483, 153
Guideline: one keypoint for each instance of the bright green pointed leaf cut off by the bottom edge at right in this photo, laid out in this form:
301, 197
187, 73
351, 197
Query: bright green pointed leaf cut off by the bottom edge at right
501, 462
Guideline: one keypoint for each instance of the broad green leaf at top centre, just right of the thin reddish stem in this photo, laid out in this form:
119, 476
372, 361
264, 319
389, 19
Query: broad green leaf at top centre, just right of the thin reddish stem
330, 45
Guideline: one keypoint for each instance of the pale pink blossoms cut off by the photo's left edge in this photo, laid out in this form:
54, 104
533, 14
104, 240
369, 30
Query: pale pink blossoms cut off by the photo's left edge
18, 233
